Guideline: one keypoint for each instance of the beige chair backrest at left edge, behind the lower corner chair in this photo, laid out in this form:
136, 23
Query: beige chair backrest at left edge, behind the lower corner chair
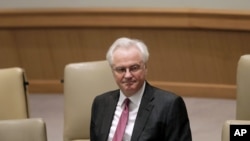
13, 94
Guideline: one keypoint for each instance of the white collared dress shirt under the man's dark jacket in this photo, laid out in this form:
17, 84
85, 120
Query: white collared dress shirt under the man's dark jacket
135, 101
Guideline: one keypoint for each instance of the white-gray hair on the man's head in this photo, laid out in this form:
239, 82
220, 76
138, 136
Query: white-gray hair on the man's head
127, 42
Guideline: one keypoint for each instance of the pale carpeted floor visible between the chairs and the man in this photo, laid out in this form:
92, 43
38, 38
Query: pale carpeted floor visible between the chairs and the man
206, 115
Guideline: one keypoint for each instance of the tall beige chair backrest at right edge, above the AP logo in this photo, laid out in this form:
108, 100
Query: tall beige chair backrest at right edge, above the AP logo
243, 88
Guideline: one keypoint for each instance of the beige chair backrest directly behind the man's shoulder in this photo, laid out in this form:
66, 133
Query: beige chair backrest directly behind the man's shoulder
82, 82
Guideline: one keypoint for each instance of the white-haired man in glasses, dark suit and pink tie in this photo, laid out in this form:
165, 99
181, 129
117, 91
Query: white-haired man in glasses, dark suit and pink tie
154, 114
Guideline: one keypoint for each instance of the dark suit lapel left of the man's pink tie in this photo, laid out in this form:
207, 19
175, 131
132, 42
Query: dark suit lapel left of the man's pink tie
108, 117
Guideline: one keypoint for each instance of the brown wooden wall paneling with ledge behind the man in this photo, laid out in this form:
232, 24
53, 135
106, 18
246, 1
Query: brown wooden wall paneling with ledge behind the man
187, 59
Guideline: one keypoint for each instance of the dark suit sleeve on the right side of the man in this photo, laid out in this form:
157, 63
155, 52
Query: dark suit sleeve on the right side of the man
178, 126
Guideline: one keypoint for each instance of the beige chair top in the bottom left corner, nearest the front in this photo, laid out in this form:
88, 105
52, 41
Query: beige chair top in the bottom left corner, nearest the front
23, 130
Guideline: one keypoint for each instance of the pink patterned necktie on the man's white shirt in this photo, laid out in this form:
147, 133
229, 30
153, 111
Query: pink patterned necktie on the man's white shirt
120, 129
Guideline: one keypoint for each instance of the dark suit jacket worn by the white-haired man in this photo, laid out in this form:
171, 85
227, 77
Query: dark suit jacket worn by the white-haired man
162, 116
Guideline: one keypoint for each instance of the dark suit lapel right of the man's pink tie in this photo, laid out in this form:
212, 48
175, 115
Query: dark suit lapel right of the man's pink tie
143, 112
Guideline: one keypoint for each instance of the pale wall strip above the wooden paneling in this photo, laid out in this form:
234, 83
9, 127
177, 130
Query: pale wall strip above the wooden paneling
210, 4
